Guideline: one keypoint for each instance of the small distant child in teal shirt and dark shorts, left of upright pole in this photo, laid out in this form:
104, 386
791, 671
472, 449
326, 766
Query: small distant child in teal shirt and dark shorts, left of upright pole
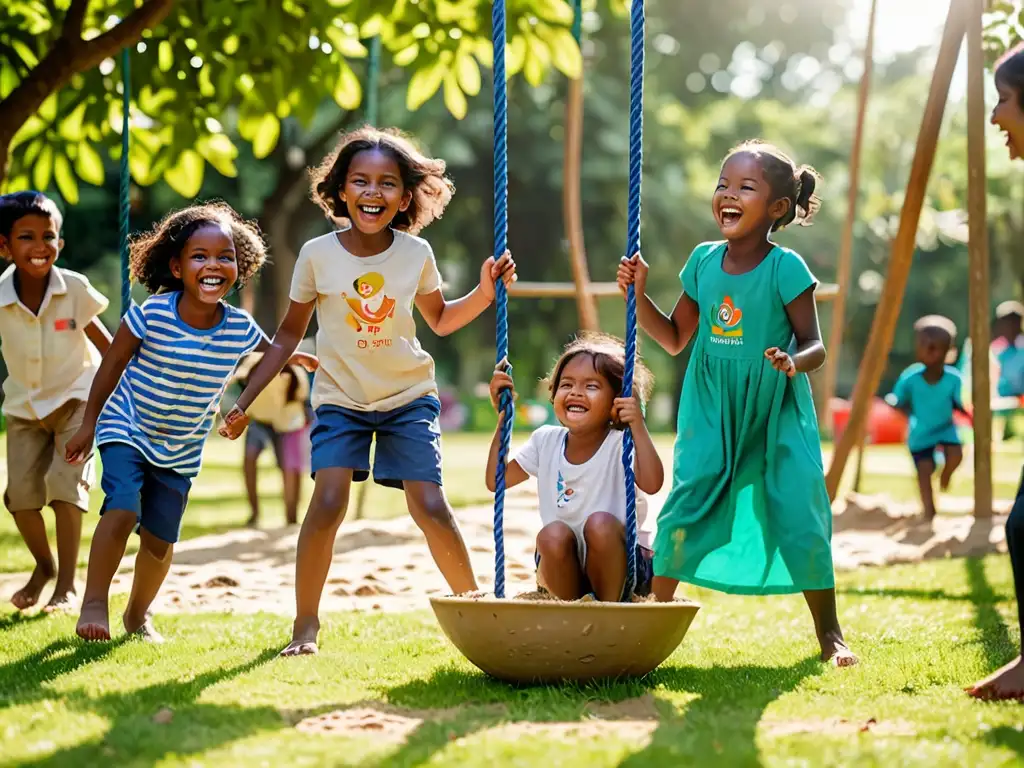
929, 393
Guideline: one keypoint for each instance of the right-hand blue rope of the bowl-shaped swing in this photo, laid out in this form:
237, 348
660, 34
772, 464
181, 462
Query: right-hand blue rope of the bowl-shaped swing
632, 247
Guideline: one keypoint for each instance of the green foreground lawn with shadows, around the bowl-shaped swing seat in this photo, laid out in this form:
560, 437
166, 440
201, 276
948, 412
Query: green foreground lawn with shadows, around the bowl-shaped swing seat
747, 667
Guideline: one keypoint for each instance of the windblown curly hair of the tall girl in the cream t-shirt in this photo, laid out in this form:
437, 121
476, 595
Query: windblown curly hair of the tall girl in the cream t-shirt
423, 177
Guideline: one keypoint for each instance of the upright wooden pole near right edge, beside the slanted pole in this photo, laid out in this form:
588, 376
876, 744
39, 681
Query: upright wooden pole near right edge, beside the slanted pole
979, 268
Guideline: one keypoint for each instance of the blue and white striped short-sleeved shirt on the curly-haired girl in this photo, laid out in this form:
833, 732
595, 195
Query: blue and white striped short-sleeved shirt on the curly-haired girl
170, 392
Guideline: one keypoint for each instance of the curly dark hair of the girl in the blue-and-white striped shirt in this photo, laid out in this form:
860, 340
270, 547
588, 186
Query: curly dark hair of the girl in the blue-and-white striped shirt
152, 252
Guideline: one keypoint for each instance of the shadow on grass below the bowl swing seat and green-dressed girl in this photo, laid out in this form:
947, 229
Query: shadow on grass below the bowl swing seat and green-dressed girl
718, 727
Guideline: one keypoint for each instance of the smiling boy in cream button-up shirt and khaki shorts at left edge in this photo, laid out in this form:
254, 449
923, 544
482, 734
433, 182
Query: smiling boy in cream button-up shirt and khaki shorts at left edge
53, 340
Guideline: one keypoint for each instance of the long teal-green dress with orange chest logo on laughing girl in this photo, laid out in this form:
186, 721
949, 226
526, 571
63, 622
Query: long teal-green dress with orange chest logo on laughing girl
749, 513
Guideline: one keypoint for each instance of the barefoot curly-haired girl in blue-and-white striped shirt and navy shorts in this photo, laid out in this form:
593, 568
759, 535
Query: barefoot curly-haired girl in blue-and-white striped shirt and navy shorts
156, 396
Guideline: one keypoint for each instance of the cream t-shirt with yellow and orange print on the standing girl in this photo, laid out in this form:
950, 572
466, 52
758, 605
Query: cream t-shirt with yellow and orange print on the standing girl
370, 359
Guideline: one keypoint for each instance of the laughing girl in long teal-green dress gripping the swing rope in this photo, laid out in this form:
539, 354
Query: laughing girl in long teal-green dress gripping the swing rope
749, 513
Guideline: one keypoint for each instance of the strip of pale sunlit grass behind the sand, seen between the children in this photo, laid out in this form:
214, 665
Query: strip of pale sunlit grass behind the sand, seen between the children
219, 499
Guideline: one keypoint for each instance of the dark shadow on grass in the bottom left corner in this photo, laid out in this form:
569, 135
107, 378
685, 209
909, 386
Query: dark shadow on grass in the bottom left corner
134, 737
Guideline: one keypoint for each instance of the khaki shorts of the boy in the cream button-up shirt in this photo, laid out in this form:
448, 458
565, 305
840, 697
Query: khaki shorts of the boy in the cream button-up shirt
37, 473
